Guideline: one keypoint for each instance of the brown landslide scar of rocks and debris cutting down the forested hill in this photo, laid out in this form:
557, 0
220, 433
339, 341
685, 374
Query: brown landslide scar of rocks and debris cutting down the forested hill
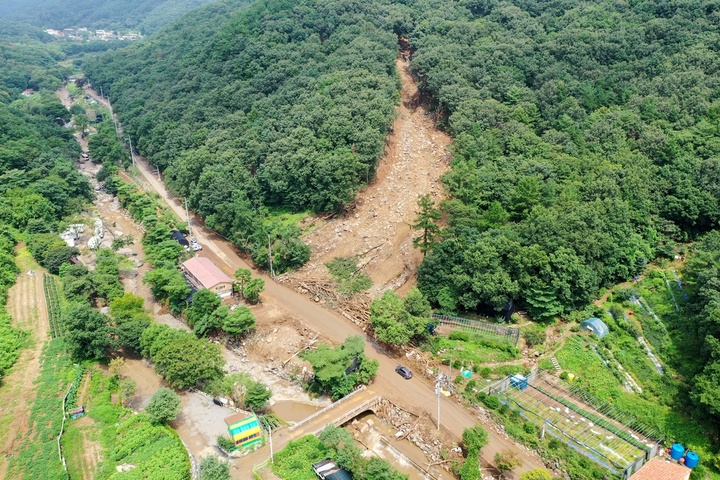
415, 158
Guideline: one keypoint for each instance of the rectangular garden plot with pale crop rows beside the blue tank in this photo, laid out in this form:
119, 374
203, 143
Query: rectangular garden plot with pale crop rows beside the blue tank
600, 437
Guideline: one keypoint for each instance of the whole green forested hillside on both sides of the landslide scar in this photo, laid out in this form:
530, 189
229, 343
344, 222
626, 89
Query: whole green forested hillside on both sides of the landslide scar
586, 132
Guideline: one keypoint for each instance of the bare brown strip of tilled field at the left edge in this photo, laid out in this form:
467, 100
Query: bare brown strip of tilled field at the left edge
26, 305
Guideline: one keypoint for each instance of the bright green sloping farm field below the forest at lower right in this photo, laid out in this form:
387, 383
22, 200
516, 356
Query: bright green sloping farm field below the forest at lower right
640, 365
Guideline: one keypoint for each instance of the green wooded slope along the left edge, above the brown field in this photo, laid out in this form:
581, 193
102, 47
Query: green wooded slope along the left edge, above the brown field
38, 184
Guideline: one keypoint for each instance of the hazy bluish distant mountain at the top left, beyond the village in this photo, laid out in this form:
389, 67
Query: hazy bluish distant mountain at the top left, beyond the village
145, 15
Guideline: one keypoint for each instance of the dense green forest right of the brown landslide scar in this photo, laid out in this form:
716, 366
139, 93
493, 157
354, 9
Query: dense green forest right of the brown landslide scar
586, 144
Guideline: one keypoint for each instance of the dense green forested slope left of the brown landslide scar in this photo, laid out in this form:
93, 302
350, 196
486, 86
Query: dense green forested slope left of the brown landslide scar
278, 105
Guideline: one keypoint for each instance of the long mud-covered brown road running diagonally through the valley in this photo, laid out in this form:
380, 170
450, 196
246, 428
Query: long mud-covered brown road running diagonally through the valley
417, 394
